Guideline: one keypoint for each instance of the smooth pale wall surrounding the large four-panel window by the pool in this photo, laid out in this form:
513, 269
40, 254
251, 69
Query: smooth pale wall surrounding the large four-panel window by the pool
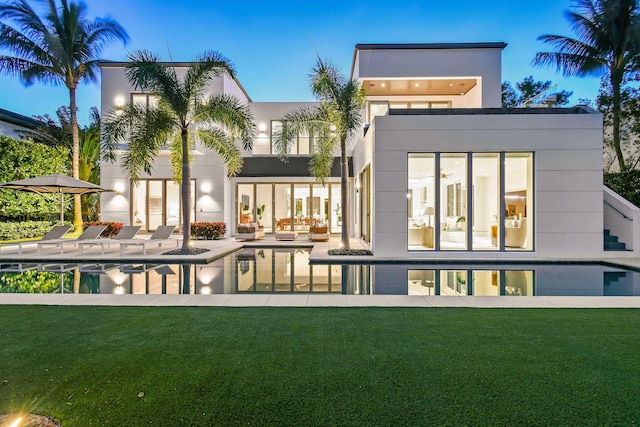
567, 176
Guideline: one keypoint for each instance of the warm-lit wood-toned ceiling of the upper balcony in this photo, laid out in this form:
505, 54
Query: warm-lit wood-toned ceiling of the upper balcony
416, 87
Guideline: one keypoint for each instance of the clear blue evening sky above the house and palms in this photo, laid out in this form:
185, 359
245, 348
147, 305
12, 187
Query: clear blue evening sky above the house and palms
273, 43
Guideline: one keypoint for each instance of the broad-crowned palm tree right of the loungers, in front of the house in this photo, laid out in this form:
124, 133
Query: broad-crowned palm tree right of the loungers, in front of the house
183, 115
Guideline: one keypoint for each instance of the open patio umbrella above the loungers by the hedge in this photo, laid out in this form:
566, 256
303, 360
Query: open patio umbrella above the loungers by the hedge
55, 183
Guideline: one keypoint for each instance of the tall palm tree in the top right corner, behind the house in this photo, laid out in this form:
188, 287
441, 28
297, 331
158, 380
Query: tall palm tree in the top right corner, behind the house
607, 41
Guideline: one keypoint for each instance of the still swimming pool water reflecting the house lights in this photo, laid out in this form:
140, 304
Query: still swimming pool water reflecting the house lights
288, 271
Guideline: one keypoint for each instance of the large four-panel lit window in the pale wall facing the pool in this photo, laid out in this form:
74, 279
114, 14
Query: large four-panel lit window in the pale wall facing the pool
470, 201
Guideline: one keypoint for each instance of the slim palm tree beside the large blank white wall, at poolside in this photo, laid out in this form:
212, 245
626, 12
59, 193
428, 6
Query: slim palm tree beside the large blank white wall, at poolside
333, 124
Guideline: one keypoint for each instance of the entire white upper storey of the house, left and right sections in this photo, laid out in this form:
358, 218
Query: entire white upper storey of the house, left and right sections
393, 76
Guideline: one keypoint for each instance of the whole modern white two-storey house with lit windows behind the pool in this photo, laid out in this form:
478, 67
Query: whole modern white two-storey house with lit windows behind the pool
440, 171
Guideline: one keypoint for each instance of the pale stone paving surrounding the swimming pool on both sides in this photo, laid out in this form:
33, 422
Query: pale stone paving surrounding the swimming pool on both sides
219, 248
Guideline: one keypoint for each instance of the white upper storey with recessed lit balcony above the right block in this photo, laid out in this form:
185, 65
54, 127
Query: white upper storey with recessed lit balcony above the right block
424, 76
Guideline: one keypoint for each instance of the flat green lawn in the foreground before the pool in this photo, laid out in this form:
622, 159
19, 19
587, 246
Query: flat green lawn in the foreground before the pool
321, 366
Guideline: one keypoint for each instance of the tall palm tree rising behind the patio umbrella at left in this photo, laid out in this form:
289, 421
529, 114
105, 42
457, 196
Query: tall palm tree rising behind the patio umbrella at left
62, 47
